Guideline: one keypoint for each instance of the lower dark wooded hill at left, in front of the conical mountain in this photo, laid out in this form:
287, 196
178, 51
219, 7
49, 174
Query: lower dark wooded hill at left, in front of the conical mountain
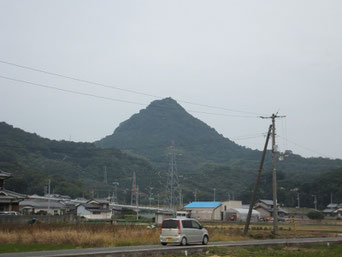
75, 169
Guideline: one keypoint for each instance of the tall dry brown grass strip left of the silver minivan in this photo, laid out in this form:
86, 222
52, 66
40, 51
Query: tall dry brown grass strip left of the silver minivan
85, 235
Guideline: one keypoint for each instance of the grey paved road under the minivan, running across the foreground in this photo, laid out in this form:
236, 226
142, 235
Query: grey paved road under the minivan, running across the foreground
155, 249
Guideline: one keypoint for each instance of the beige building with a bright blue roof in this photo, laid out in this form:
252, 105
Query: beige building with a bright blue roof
211, 210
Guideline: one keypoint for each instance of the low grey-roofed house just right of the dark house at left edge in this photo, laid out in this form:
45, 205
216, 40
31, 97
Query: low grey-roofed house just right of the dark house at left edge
42, 207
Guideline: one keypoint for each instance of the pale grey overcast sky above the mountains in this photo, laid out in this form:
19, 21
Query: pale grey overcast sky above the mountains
246, 57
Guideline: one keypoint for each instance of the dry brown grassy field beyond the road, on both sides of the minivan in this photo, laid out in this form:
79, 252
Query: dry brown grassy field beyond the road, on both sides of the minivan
15, 238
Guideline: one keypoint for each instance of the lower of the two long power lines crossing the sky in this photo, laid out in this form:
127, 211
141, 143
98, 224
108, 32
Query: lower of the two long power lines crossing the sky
114, 99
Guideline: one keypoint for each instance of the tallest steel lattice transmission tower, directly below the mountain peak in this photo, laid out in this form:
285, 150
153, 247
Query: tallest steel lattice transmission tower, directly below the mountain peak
173, 189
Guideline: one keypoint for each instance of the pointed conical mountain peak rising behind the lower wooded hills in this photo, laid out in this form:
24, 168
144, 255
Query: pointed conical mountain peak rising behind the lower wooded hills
152, 131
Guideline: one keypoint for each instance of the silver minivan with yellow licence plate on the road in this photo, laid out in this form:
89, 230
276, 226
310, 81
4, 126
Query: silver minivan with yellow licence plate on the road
183, 231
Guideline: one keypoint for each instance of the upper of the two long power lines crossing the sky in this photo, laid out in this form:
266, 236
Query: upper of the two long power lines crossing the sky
121, 89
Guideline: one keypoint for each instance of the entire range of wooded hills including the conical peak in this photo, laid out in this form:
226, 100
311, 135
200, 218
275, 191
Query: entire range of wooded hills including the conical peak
205, 159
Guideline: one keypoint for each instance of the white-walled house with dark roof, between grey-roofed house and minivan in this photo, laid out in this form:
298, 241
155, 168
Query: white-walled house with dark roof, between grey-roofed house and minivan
95, 209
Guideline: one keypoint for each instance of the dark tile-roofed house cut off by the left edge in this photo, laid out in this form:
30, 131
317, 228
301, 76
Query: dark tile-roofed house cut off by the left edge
9, 200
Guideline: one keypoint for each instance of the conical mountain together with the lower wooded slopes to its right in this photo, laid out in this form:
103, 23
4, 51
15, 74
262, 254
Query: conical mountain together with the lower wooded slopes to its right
206, 159
